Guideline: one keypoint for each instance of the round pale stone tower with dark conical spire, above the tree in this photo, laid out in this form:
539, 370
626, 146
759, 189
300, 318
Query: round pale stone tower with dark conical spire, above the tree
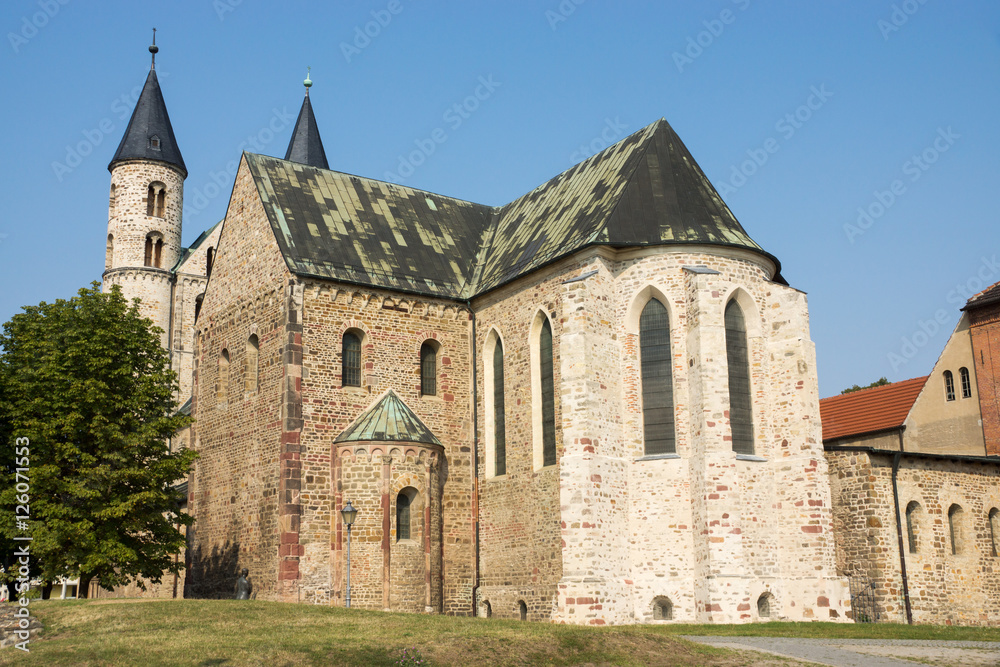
146, 201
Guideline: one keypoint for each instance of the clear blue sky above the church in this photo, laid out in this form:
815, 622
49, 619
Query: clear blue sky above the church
856, 141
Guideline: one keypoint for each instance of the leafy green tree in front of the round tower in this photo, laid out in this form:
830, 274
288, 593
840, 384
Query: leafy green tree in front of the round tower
87, 382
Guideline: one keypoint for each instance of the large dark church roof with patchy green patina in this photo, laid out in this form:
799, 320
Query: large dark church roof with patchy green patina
646, 190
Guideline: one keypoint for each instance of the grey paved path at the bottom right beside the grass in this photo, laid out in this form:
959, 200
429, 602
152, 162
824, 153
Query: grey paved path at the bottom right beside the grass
867, 652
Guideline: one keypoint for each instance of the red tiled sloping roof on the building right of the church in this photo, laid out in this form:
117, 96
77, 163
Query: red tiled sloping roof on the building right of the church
868, 410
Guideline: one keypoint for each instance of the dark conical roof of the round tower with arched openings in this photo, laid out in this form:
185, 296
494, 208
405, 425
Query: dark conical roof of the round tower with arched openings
150, 120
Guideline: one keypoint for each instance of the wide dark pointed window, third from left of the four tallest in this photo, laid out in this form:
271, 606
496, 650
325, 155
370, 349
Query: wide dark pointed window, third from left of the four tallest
657, 379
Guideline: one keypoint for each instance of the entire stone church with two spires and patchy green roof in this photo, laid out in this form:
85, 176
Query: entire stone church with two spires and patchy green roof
594, 404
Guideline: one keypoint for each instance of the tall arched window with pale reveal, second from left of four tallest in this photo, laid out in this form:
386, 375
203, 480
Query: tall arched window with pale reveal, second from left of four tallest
543, 394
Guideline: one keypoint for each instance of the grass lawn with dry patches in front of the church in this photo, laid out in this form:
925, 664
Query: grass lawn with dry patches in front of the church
230, 633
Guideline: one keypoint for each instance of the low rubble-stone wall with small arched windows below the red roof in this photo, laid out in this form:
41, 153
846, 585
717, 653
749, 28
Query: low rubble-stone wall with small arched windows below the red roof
944, 588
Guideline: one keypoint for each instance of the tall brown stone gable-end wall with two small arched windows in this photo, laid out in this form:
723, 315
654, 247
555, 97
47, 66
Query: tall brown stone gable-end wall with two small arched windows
233, 491
